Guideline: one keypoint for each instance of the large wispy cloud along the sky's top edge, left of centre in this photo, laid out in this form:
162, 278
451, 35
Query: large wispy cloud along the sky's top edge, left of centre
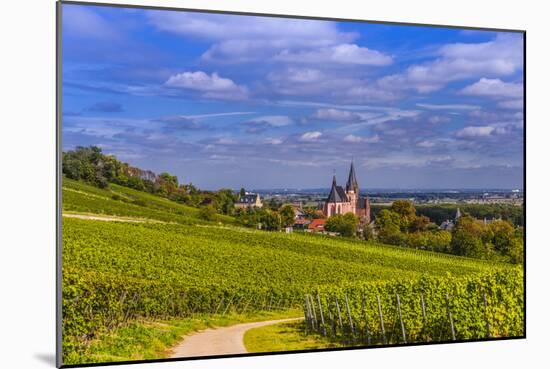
239, 39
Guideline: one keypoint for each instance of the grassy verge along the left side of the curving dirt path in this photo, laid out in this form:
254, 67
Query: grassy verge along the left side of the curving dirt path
146, 340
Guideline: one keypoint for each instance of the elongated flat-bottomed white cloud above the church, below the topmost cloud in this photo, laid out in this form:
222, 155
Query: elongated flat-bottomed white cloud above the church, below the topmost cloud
339, 54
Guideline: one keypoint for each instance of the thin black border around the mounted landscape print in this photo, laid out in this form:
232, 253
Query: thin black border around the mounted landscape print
58, 91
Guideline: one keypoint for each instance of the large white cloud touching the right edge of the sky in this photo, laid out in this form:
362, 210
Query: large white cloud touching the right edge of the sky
499, 57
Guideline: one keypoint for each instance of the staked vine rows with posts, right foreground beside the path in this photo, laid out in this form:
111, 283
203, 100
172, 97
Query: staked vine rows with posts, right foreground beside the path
432, 309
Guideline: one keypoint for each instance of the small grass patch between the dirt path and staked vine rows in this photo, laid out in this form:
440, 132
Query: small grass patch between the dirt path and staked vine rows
288, 336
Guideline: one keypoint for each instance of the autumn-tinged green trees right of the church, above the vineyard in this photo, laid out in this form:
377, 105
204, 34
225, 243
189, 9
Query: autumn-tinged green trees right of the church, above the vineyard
401, 225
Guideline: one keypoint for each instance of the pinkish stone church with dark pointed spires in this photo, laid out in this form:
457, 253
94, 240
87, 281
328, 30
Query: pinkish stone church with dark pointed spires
342, 201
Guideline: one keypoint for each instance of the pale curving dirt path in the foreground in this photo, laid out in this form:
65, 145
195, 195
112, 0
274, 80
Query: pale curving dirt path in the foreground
219, 341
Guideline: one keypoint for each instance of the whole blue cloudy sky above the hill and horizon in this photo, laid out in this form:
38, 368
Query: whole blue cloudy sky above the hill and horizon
231, 101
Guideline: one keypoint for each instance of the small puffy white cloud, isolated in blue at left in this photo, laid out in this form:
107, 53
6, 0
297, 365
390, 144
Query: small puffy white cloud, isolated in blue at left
211, 86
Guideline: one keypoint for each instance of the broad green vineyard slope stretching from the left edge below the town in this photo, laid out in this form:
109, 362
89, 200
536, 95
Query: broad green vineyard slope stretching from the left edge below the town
116, 273
